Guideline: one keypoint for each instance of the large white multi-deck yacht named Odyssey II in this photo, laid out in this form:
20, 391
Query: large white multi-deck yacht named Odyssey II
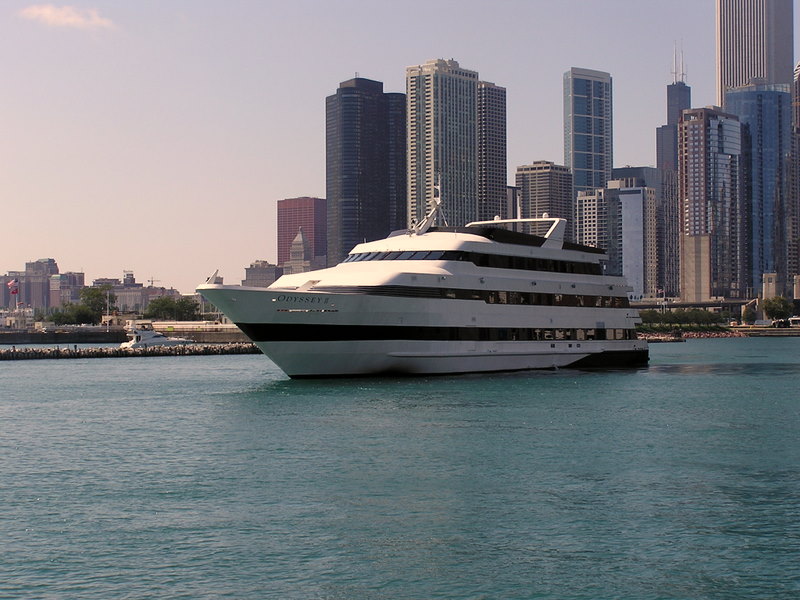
437, 300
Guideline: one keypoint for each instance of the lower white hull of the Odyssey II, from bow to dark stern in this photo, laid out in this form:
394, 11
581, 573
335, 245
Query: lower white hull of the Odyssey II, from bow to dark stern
310, 334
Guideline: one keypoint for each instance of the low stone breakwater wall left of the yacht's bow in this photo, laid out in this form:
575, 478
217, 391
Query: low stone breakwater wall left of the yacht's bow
186, 350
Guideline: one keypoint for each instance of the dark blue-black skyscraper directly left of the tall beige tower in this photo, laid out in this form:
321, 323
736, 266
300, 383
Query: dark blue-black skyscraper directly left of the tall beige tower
364, 163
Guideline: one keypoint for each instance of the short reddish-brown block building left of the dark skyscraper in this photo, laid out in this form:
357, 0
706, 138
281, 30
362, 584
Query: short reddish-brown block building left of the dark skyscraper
310, 214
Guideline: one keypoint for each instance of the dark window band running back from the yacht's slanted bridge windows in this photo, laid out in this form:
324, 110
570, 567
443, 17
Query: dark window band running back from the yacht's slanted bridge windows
494, 261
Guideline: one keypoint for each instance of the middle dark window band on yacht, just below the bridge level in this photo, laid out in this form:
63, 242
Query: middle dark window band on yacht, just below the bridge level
487, 296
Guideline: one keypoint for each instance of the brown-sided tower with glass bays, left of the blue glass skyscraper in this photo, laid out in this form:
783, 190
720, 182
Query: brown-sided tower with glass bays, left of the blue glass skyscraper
712, 207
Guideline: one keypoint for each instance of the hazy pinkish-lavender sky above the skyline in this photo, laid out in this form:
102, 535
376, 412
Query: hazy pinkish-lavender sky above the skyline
156, 135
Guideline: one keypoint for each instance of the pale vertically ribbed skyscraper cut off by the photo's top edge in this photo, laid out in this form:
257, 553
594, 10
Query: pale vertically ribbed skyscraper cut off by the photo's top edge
754, 40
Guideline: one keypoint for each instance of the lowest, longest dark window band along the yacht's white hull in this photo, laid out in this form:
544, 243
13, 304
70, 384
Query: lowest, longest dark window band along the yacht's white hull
272, 332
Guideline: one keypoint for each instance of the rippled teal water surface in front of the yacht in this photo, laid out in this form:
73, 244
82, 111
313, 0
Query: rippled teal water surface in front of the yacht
210, 477
